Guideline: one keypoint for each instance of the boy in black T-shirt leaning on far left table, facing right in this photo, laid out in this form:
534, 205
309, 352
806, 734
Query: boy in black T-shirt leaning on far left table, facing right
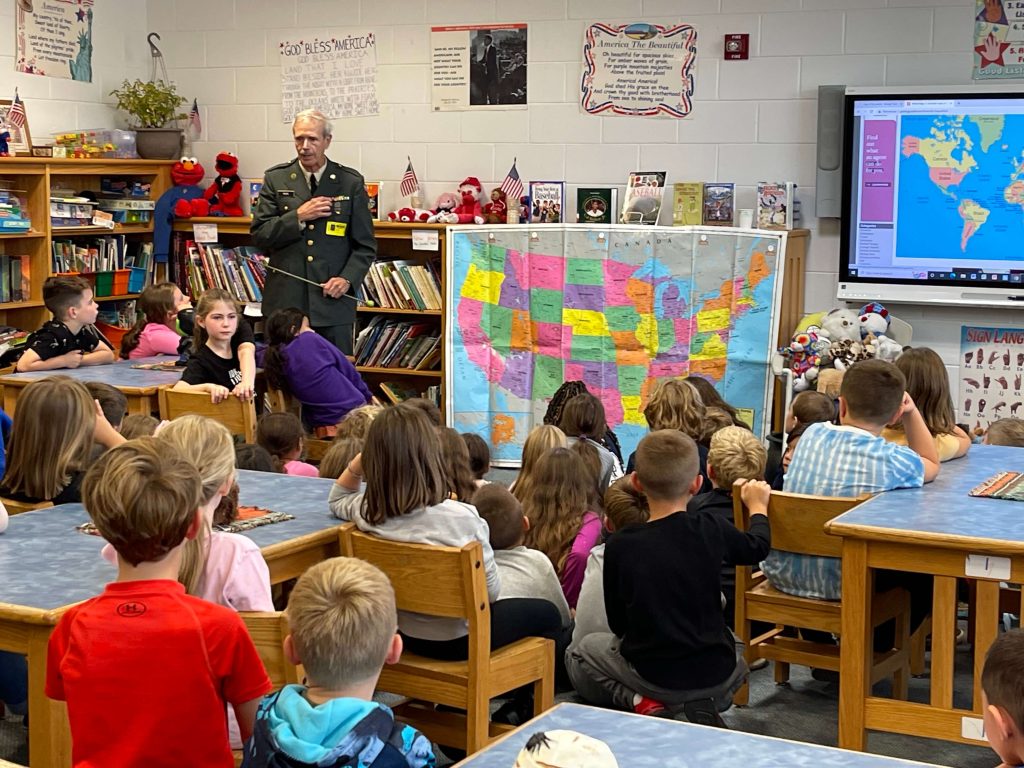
71, 338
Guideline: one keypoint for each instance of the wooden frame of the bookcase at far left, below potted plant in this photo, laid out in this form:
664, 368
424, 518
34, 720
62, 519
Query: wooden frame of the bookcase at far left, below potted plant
33, 179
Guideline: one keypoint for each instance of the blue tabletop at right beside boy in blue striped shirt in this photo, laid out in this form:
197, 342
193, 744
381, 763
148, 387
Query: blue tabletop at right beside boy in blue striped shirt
944, 507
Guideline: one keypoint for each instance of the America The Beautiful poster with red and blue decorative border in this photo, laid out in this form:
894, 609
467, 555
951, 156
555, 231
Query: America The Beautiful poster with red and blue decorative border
638, 70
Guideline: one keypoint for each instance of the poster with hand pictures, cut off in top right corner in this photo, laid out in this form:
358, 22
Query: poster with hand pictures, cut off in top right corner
999, 39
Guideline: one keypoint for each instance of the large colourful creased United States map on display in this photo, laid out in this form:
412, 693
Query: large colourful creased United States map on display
618, 309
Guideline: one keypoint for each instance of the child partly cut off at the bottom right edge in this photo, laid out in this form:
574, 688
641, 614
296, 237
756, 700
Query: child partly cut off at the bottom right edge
1003, 707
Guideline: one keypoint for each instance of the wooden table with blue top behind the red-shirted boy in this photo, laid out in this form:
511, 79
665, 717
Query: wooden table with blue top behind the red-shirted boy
48, 566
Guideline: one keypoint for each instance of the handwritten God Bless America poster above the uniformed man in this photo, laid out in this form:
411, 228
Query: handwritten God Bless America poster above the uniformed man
336, 75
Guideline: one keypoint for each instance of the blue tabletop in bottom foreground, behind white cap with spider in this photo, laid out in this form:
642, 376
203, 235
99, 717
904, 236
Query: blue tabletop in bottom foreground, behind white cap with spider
637, 741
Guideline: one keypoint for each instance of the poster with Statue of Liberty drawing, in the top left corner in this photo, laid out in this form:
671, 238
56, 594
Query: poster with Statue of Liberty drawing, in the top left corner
55, 38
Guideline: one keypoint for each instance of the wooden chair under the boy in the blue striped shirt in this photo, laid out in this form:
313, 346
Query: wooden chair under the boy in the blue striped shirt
798, 527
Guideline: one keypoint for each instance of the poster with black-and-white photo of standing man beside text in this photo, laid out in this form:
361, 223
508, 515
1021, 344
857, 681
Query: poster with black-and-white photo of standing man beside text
481, 67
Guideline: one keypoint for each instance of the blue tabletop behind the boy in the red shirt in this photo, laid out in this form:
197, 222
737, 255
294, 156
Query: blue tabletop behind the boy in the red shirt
46, 564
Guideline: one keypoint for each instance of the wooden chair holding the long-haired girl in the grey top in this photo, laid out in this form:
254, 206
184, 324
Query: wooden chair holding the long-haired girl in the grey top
450, 582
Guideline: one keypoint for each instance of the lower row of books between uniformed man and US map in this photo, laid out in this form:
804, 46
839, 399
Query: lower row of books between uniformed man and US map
392, 344
